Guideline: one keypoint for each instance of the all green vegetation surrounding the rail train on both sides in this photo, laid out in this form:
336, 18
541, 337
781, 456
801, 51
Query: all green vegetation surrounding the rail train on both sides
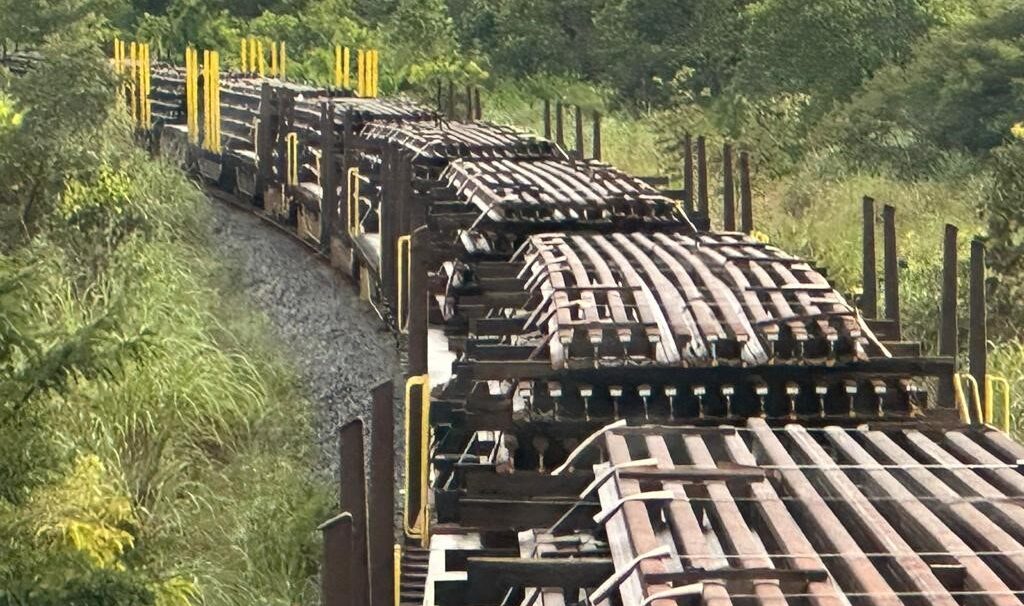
139, 402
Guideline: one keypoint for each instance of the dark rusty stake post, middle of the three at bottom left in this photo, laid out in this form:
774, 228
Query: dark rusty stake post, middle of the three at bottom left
354, 500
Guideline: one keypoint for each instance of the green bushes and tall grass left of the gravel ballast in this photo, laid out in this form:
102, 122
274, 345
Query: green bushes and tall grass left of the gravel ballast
154, 450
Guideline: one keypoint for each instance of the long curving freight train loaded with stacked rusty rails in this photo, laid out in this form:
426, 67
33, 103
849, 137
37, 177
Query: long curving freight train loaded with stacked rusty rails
608, 402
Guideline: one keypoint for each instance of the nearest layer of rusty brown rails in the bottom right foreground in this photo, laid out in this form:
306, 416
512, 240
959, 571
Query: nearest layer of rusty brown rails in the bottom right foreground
834, 516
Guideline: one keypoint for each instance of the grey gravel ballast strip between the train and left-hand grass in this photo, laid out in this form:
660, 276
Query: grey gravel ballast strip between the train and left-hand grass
340, 348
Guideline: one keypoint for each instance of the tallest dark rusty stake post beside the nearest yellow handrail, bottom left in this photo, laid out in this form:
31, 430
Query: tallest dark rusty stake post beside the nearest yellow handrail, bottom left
380, 523
